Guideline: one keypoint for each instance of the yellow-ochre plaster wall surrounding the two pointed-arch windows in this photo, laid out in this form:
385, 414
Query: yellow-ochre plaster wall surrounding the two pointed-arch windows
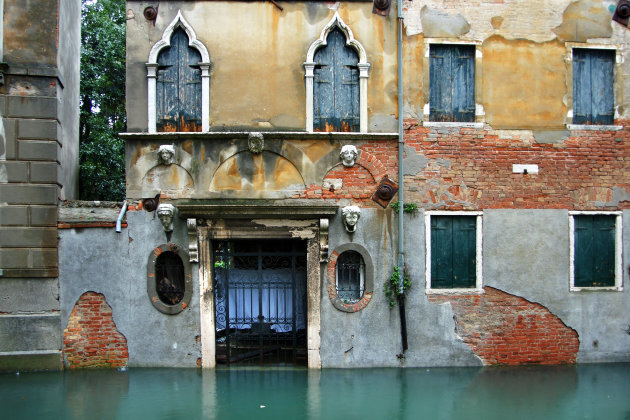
257, 54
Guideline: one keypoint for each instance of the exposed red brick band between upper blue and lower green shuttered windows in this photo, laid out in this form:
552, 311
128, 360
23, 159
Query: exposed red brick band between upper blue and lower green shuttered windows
472, 169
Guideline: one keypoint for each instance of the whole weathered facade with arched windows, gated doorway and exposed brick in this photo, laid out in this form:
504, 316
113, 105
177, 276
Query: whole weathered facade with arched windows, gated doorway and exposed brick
262, 162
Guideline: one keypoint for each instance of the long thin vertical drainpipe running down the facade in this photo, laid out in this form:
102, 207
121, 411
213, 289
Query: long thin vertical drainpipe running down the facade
401, 219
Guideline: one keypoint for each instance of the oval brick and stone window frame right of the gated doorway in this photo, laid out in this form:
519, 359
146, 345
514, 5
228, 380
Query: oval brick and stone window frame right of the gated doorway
368, 291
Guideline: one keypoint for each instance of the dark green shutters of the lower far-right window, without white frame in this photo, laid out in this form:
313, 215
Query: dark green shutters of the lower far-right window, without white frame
594, 255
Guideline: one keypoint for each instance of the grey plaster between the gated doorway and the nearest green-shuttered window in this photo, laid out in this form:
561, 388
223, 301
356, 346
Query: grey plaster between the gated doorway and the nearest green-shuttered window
371, 336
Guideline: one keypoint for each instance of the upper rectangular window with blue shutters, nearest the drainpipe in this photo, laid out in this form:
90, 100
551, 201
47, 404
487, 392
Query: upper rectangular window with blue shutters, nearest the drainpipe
452, 83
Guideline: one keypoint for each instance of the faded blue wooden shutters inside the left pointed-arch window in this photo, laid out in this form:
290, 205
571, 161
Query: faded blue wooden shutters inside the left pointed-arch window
179, 86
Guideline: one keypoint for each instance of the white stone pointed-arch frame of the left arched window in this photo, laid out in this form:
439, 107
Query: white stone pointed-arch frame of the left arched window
152, 66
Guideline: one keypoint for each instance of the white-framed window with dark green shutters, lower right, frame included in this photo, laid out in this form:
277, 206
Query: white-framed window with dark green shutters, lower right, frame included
595, 251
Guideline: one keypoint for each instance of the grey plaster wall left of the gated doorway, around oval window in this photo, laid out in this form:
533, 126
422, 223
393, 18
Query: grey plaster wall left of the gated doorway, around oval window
115, 265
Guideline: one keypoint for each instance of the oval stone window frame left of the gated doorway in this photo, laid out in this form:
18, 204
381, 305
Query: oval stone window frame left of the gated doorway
151, 280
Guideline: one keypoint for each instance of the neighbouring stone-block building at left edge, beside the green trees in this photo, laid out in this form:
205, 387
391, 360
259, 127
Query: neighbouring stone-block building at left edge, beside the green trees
39, 99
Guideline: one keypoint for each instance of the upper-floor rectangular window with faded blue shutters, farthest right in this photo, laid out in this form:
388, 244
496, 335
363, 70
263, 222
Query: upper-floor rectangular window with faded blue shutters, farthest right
593, 77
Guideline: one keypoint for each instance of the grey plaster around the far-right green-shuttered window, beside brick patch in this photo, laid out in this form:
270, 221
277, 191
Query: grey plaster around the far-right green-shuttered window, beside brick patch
526, 253
